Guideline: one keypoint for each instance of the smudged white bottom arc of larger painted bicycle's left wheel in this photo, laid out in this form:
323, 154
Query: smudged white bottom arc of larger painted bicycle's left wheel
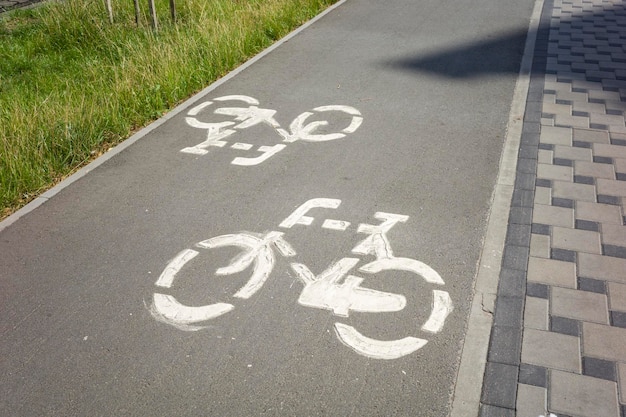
167, 309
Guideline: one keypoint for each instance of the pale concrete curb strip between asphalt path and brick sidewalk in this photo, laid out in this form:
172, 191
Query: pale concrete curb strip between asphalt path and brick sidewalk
469, 380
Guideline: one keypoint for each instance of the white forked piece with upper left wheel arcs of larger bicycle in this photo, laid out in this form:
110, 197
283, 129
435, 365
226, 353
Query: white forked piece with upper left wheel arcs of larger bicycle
256, 250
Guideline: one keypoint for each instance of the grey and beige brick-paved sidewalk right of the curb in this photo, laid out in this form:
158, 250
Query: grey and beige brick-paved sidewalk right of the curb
558, 342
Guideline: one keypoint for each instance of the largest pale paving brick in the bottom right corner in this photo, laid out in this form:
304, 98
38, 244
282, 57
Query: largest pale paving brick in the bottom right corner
584, 396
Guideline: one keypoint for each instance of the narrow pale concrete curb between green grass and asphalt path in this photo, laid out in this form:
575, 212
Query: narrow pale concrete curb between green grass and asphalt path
157, 123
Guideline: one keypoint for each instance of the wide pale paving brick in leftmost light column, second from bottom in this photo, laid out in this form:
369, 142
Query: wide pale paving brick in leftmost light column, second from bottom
551, 350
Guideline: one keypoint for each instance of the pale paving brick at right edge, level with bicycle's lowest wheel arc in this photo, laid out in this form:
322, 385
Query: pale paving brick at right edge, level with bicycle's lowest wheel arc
604, 342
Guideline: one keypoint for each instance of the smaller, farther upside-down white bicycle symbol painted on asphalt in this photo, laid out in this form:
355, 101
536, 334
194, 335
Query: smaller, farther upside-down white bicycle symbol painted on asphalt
299, 129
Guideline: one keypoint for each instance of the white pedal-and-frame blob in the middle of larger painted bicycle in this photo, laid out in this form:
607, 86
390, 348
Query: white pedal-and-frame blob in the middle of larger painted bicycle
326, 292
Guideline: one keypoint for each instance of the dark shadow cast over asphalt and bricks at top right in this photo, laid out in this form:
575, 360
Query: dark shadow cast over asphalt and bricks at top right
579, 31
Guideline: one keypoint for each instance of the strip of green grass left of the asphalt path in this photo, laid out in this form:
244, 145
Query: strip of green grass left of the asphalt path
72, 85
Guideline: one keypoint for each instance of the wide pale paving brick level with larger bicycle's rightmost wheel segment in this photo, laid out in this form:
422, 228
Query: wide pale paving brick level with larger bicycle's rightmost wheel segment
579, 305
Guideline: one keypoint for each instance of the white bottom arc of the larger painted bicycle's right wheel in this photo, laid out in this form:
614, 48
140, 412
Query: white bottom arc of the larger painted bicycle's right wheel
377, 349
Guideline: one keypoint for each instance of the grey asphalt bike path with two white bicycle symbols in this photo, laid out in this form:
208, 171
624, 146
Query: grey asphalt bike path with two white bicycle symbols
300, 239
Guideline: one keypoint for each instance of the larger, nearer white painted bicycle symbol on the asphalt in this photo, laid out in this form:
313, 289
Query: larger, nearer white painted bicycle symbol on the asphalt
334, 289
